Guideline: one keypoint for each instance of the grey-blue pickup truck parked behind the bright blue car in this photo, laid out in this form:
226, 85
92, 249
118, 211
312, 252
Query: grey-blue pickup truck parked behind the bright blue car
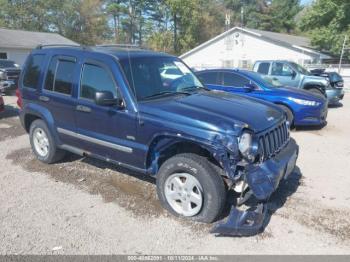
294, 75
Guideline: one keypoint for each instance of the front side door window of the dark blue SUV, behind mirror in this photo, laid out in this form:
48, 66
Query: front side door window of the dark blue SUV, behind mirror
95, 79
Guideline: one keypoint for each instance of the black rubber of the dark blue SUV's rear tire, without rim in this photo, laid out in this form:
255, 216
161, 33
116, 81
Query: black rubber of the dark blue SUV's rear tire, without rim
54, 153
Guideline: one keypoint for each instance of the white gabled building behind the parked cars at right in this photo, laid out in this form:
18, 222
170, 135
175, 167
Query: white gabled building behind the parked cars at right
241, 47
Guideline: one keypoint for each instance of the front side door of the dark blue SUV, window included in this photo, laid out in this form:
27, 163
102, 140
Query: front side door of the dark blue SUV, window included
107, 131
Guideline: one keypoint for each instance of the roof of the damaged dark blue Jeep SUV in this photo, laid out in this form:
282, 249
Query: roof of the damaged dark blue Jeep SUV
119, 52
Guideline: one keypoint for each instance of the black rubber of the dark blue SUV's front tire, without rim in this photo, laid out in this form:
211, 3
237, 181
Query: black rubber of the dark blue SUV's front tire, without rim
214, 192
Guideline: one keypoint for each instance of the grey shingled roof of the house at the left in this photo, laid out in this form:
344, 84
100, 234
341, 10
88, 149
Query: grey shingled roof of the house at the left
28, 40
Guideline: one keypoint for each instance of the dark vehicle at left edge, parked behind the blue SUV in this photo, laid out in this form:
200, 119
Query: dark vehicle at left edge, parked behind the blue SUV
9, 74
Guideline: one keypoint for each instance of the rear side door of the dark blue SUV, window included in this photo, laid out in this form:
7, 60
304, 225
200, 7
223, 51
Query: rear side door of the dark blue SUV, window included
57, 94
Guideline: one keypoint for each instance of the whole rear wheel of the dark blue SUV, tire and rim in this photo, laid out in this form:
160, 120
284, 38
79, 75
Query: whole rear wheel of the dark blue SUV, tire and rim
43, 144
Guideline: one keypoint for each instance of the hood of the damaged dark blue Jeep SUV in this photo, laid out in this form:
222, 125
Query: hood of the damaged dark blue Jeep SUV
216, 111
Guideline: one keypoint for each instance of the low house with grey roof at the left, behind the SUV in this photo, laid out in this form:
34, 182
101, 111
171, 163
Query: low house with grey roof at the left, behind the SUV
17, 44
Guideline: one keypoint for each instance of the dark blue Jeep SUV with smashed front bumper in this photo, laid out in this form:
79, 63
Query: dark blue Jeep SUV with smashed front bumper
113, 104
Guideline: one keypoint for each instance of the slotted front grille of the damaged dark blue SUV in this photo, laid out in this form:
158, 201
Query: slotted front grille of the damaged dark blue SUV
273, 140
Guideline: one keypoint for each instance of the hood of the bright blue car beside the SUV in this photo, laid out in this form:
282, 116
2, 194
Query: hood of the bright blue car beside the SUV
298, 93
